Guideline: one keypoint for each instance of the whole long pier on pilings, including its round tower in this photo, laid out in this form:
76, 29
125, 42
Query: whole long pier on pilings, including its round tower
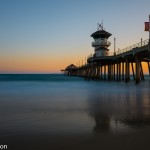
118, 65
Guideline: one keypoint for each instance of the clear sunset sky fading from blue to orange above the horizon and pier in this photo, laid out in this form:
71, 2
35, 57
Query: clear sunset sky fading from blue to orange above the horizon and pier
45, 36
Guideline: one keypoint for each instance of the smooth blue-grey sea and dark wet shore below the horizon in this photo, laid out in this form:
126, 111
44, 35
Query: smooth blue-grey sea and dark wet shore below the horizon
53, 111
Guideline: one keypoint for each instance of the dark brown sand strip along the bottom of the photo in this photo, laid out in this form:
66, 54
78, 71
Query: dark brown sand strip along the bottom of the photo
137, 140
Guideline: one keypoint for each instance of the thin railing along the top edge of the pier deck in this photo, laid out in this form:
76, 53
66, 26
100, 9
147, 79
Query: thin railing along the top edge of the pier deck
129, 48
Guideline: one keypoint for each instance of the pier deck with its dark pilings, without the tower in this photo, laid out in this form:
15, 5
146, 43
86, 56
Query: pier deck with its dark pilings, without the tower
117, 65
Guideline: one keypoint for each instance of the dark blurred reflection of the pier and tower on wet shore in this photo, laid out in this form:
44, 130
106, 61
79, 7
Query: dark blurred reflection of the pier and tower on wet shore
120, 107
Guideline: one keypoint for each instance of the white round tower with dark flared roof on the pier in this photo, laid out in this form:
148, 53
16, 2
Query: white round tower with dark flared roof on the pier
101, 42
